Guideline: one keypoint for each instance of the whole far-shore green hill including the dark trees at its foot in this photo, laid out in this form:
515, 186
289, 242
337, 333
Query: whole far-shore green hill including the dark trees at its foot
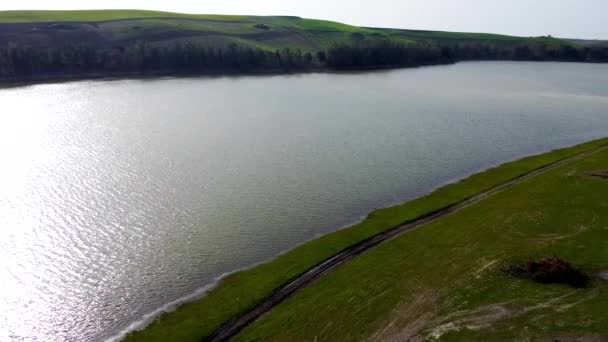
51, 45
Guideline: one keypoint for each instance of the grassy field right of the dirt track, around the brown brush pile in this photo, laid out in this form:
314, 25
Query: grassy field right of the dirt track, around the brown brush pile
447, 279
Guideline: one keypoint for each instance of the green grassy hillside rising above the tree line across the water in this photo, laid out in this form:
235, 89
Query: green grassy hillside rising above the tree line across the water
271, 32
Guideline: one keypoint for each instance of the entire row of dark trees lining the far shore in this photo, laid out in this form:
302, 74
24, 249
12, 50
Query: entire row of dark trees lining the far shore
24, 62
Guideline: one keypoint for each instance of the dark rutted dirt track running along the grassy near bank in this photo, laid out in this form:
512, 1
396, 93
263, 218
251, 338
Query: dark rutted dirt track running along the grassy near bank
234, 326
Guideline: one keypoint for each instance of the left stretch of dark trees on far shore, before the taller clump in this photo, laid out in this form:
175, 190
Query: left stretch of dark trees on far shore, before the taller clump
22, 62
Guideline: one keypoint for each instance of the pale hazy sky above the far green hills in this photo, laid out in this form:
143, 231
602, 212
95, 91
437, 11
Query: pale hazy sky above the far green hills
563, 18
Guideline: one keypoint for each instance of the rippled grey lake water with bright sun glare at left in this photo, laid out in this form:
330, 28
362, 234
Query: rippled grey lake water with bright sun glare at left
118, 197
